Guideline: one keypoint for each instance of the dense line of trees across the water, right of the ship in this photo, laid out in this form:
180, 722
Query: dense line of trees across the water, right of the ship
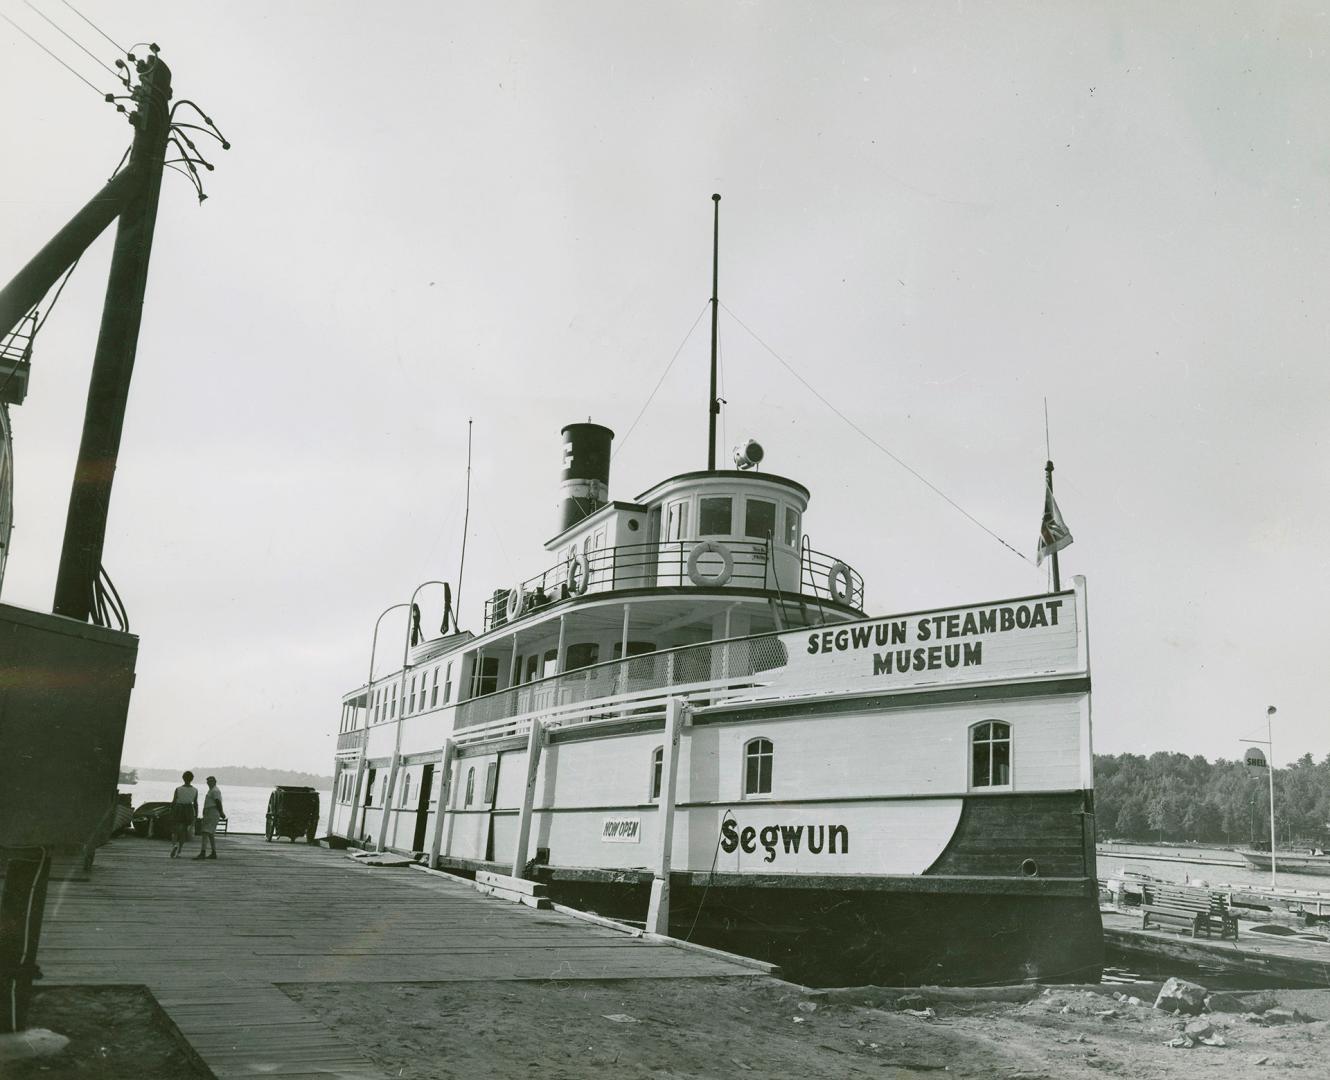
1180, 797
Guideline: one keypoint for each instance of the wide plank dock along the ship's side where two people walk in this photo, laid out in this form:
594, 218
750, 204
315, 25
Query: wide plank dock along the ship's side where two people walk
216, 940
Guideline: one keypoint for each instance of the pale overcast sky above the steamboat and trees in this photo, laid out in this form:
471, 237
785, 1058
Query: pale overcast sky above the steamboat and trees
937, 215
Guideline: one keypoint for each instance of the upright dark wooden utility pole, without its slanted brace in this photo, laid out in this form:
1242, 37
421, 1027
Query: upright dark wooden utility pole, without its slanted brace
118, 342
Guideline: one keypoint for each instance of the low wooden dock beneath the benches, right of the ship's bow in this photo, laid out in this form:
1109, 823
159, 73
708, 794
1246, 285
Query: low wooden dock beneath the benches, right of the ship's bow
1288, 961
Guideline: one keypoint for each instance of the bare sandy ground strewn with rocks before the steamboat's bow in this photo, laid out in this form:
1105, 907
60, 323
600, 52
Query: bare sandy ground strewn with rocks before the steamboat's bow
764, 1027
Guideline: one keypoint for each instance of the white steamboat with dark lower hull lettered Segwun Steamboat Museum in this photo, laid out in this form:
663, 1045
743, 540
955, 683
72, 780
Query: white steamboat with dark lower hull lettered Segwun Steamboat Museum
690, 720
